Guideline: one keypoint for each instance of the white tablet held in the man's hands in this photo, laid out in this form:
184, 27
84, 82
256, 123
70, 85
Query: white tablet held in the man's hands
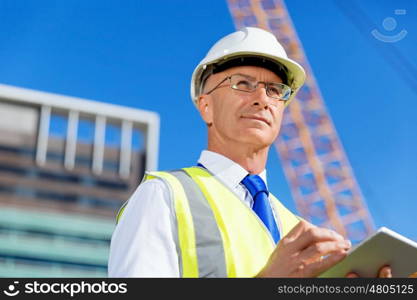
384, 247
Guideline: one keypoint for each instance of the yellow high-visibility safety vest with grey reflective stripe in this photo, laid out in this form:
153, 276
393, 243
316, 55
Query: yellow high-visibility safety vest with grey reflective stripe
218, 235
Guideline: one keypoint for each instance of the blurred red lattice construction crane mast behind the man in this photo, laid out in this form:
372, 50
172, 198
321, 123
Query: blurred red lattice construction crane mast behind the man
317, 169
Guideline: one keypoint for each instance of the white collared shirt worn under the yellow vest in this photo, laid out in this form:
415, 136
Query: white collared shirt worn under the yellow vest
143, 242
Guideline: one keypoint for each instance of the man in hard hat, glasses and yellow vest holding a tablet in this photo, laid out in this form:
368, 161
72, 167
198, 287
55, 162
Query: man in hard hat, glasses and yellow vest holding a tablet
218, 219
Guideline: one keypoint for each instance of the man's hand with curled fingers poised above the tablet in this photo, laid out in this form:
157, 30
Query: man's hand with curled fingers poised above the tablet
306, 251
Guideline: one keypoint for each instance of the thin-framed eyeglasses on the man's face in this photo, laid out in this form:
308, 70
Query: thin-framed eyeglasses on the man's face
247, 84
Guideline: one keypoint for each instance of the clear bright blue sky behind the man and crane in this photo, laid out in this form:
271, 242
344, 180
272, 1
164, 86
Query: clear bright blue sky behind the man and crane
142, 53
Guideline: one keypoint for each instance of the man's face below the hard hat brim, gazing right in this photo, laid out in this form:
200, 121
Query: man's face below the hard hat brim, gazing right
241, 117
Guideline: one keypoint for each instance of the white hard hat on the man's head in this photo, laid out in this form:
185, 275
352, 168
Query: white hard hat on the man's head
245, 44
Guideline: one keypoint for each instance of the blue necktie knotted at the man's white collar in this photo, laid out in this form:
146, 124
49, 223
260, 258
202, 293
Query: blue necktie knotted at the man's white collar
257, 188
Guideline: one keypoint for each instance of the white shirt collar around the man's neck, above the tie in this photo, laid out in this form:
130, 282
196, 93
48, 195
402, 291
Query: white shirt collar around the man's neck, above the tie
225, 169
